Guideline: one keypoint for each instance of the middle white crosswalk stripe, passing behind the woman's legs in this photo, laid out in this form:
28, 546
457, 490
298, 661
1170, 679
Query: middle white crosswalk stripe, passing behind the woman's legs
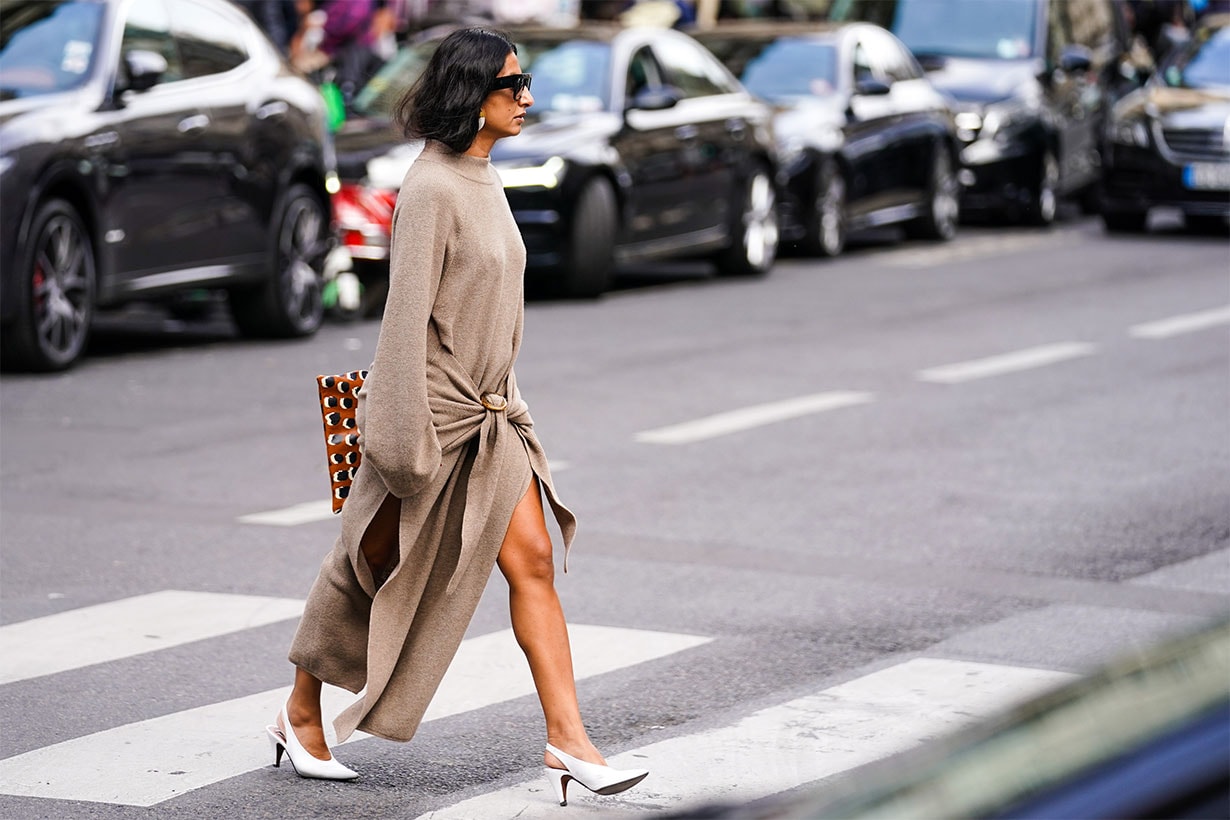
156, 760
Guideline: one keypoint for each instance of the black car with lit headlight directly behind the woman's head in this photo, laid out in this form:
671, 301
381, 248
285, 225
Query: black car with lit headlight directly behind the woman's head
640, 146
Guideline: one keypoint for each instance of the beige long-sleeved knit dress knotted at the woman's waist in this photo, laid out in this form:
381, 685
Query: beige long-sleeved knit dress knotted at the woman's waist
451, 334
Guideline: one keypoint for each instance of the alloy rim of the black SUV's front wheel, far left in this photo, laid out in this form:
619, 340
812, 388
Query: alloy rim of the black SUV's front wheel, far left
61, 288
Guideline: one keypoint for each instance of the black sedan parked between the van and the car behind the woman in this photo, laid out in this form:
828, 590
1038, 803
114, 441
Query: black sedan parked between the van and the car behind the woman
864, 140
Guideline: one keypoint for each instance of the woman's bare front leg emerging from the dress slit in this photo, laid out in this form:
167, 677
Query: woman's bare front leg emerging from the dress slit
526, 560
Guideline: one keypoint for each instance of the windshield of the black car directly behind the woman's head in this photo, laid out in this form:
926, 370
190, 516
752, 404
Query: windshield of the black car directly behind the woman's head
570, 77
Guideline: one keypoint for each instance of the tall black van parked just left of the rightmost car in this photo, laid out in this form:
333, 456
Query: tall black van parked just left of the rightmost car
1034, 81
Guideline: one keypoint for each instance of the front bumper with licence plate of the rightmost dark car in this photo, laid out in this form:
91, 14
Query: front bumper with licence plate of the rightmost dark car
1137, 179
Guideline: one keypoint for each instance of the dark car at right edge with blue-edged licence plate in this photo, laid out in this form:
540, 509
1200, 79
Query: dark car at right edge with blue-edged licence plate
1169, 143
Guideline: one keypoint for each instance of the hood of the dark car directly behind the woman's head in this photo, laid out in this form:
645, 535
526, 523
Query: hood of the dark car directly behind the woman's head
373, 151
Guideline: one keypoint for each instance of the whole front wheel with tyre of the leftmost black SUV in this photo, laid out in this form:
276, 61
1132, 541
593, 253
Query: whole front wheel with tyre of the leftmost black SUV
57, 291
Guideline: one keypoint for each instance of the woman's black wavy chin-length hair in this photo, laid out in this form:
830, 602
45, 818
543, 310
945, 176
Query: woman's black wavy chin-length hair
445, 103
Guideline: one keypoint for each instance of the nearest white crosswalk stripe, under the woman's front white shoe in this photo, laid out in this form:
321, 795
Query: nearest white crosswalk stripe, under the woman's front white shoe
788, 746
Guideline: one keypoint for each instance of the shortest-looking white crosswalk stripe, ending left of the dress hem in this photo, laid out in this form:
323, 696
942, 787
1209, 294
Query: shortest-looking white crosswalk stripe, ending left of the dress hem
132, 626
